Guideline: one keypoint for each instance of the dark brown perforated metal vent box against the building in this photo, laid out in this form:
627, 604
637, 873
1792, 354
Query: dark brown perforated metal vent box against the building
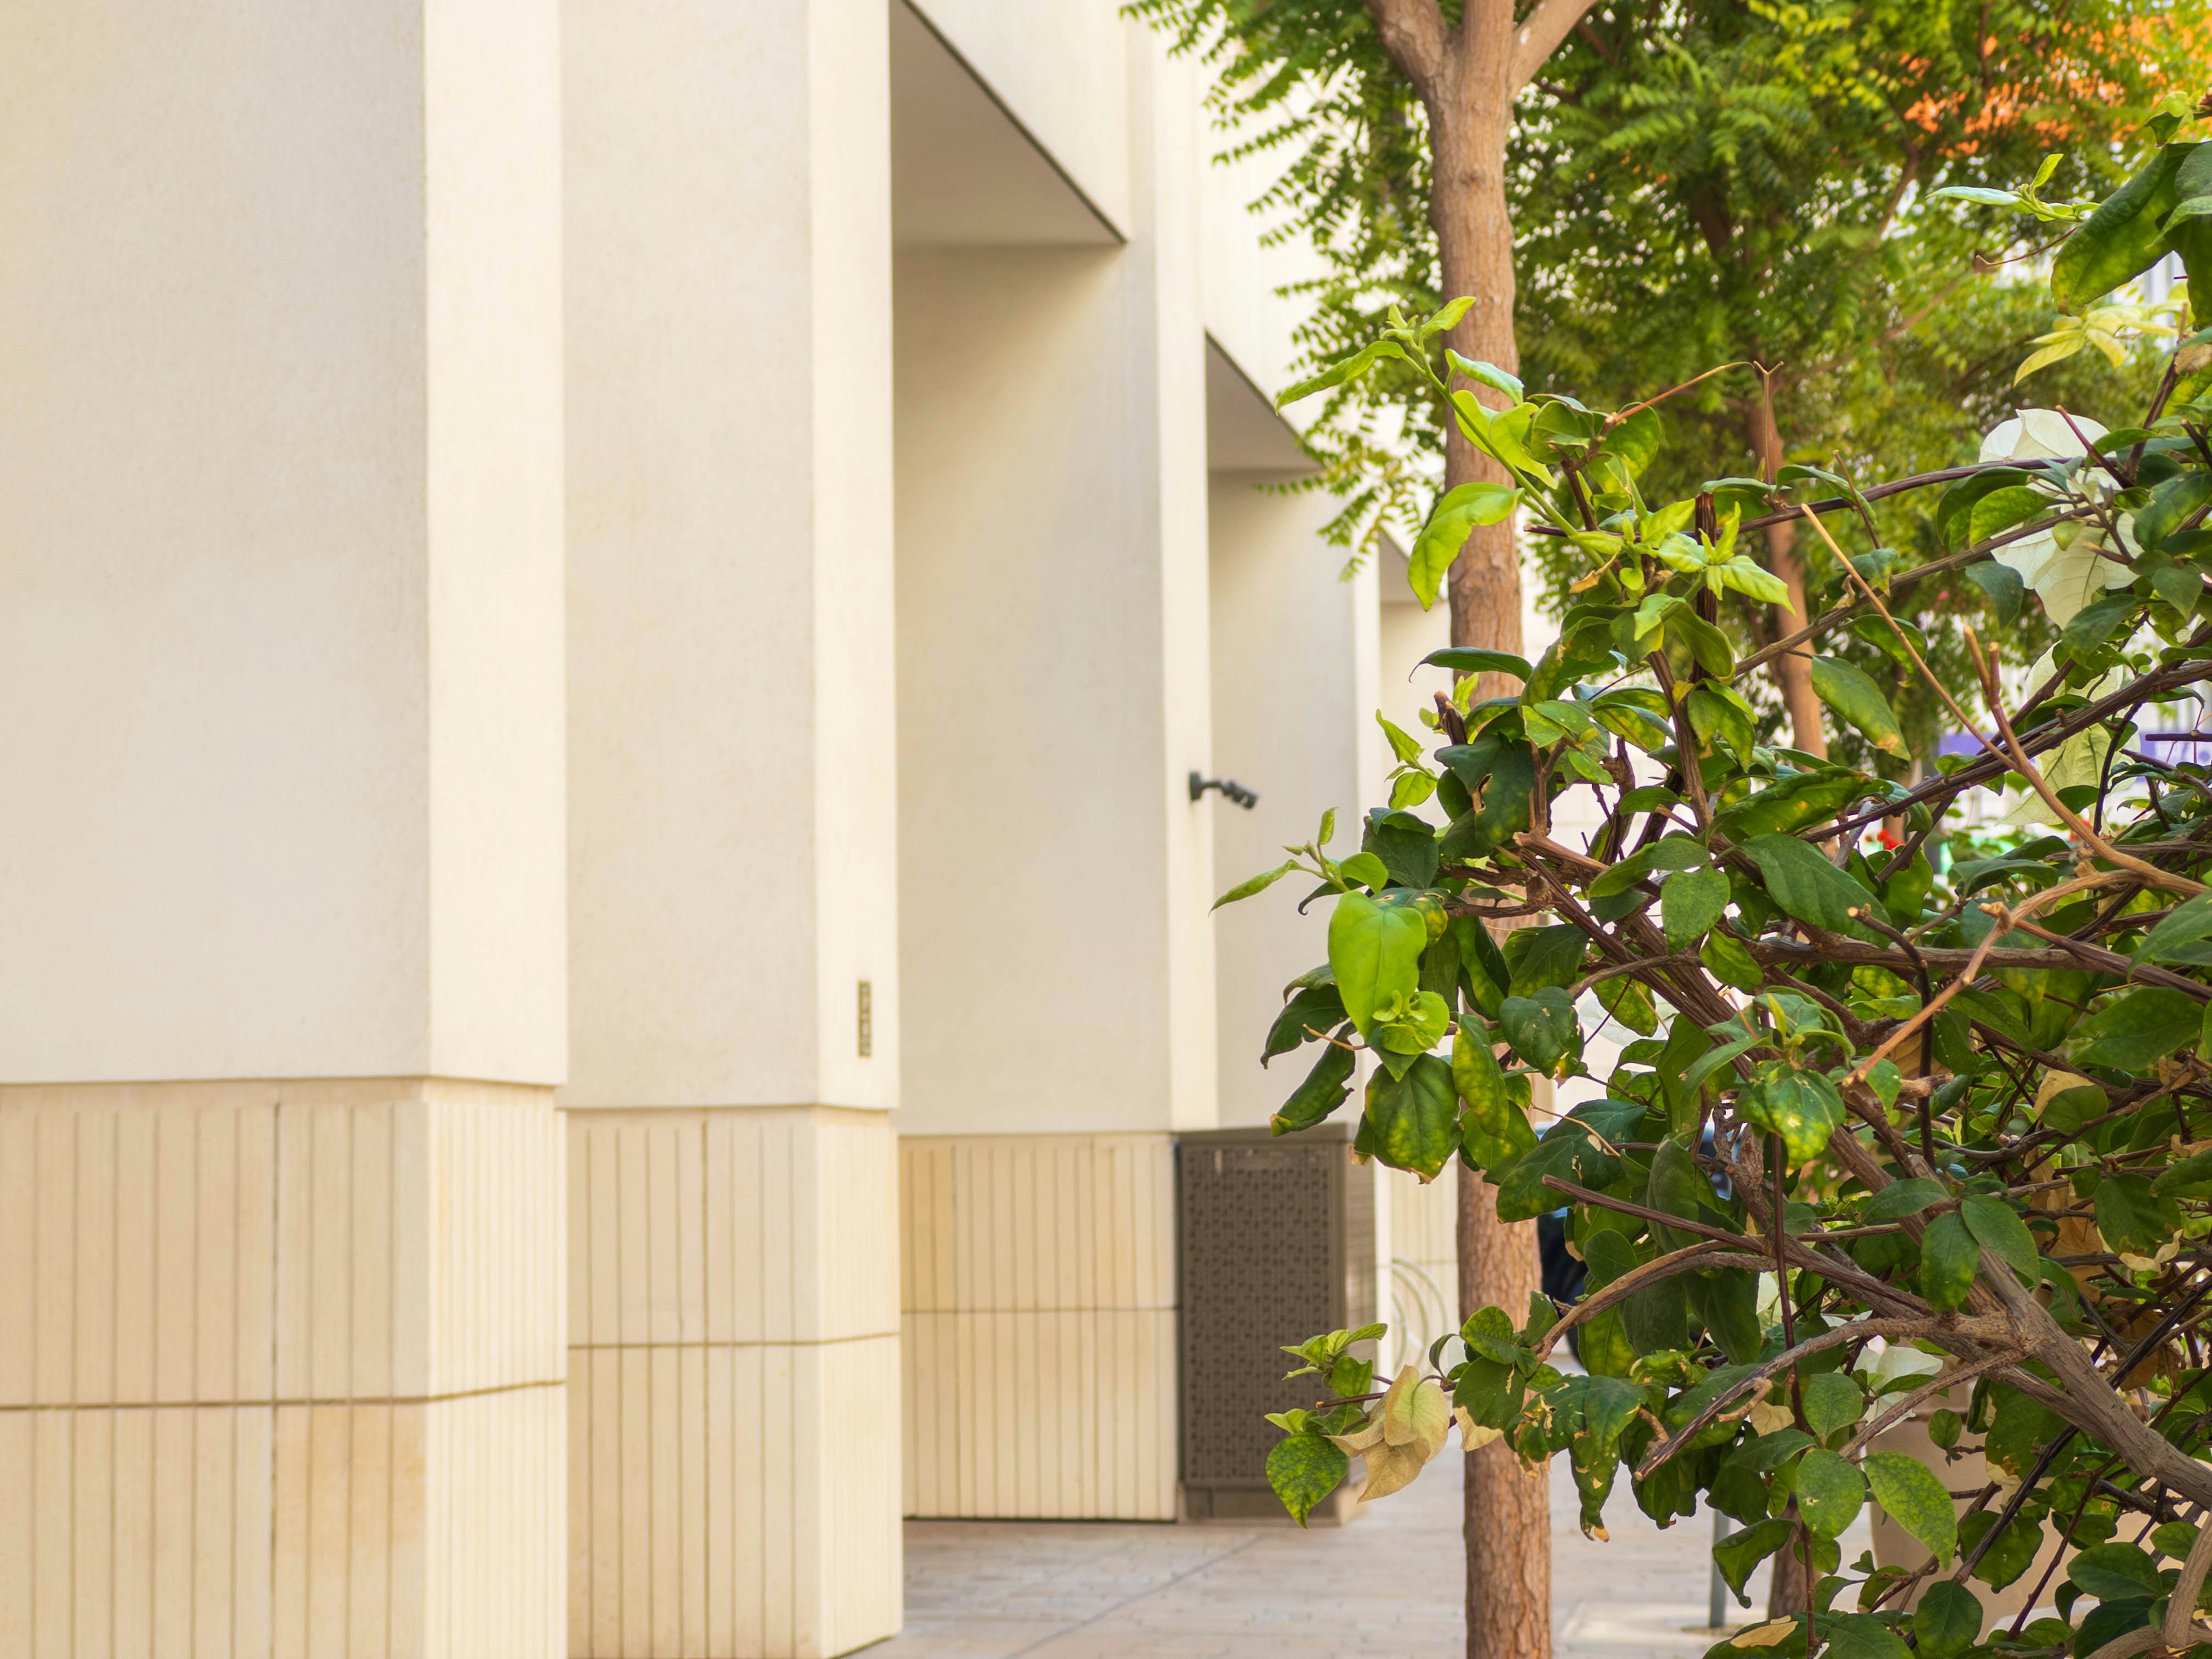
1277, 1244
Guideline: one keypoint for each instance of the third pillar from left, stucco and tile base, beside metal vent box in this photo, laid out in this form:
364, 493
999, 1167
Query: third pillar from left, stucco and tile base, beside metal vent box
1054, 870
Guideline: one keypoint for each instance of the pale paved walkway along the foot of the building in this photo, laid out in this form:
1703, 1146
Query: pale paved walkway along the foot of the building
1386, 1585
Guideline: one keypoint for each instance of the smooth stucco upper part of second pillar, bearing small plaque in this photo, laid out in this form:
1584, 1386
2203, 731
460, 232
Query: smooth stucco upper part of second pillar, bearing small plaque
731, 554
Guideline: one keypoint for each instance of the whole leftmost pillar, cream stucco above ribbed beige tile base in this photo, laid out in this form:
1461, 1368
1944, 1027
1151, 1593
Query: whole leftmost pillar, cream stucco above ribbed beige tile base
282, 866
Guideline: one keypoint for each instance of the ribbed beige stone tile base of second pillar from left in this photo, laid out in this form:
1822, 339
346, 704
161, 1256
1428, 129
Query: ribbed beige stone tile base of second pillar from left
733, 1430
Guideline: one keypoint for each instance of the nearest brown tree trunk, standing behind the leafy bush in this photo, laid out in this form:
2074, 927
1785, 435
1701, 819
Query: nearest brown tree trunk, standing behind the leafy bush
1507, 1512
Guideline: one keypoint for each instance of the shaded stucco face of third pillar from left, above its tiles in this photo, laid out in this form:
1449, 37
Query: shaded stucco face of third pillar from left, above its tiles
1034, 789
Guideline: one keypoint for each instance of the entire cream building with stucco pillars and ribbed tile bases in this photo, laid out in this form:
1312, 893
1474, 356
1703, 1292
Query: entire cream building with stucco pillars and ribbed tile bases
674, 554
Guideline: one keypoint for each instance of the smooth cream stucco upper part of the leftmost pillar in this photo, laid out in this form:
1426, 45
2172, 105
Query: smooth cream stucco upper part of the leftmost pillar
280, 567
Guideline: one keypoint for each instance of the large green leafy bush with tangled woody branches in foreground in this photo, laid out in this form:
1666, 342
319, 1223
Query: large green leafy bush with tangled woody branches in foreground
1910, 1120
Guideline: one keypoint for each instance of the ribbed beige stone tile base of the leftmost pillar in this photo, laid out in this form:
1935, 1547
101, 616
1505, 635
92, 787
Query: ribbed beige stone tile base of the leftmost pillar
282, 1370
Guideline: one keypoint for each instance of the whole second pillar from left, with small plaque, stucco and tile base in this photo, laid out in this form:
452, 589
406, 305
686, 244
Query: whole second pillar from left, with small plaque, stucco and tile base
733, 815
